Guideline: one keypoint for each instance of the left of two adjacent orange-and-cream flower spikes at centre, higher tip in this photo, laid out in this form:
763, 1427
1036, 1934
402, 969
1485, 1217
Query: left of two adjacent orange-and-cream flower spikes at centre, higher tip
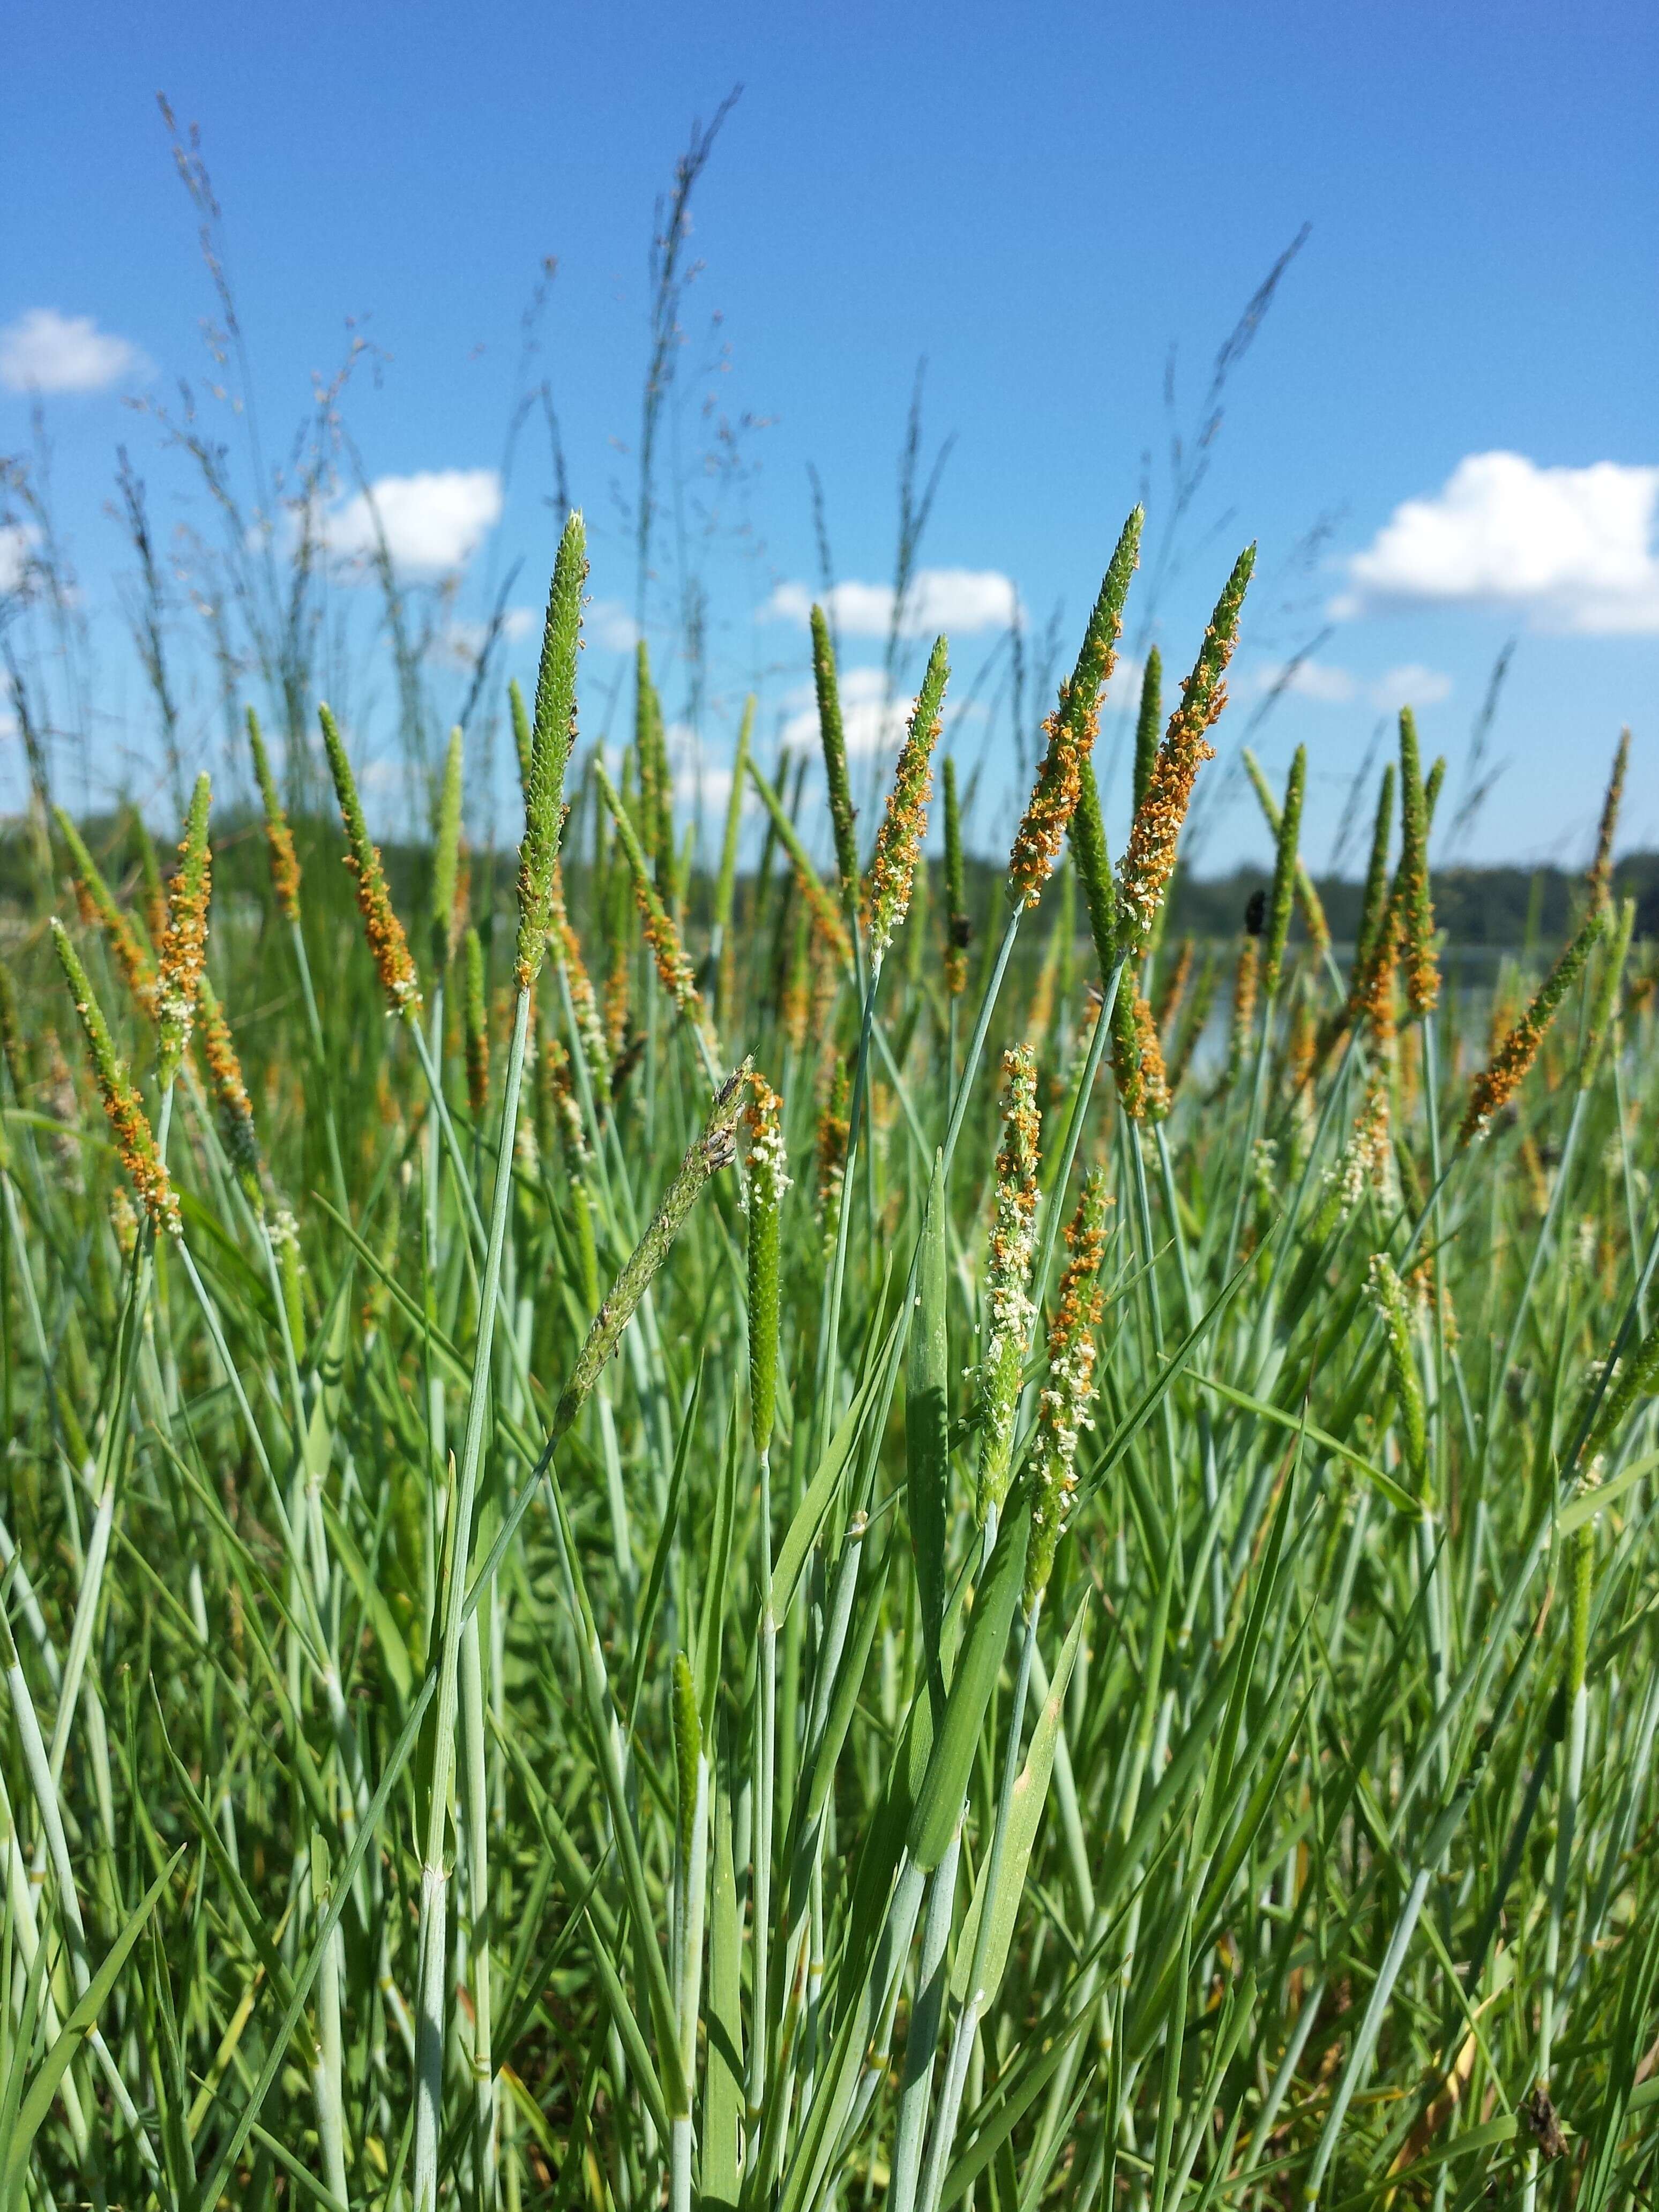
1008, 1277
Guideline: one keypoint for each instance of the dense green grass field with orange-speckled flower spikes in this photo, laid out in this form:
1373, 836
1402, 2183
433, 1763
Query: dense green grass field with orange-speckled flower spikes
758, 1541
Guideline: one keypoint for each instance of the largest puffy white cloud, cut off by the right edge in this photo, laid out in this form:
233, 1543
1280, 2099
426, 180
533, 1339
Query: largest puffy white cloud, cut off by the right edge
1574, 550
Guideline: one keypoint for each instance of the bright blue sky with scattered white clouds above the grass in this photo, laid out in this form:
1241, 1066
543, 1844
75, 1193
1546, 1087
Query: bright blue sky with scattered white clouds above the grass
1043, 205
